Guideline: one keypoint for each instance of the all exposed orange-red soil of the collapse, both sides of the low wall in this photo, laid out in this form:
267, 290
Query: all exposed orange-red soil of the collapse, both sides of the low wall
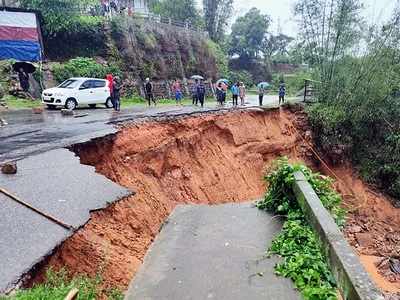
208, 159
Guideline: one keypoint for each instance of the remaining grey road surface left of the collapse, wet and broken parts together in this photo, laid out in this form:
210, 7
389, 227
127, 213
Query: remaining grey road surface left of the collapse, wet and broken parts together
49, 187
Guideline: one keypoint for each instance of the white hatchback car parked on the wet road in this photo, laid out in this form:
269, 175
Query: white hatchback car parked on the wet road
77, 92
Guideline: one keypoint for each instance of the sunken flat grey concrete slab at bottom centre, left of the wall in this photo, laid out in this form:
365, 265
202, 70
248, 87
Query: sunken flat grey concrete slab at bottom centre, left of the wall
213, 252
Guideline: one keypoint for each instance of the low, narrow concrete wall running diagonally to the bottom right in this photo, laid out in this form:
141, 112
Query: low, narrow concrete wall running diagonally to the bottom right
353, 280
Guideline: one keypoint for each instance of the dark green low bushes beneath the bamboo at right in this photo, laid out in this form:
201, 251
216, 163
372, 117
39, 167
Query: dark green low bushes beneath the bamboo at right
370, 134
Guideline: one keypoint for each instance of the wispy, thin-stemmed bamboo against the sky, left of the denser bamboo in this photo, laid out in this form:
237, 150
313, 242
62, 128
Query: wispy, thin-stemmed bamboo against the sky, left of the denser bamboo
329, 29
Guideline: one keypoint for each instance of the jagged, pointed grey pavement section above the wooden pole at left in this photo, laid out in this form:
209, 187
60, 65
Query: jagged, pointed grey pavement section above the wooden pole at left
56, 183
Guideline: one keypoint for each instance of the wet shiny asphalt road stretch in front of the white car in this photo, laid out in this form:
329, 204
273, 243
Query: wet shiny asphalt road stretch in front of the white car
27, 133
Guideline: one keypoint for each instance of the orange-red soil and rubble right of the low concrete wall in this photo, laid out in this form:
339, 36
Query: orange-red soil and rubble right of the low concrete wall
373, 229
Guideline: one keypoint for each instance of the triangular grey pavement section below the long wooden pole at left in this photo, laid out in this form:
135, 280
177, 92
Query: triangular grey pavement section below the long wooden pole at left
26, 238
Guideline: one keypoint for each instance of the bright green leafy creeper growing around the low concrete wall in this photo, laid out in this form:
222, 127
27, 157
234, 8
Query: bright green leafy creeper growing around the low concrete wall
304, 260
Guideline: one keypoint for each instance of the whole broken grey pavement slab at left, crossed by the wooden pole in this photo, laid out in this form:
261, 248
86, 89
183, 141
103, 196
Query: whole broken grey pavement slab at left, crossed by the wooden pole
58, 185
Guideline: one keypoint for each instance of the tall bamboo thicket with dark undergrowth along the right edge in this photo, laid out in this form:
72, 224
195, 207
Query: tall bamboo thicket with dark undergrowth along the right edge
357, 113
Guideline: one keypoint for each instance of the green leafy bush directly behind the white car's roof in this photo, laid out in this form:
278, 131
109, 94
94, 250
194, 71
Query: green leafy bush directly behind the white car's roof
83, 67
